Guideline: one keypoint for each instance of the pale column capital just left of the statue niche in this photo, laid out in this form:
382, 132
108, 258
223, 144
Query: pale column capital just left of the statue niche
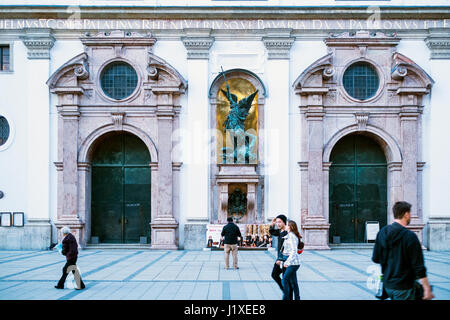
197, 43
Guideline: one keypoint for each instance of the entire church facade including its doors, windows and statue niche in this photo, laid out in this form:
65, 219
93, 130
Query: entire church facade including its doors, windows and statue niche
143, 124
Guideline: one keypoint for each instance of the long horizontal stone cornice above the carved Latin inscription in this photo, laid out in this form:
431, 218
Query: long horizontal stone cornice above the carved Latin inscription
238, 12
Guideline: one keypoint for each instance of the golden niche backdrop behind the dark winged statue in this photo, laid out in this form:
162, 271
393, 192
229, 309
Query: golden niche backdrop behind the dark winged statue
241, 88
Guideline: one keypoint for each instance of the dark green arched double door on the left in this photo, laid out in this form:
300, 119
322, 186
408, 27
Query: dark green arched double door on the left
120, 205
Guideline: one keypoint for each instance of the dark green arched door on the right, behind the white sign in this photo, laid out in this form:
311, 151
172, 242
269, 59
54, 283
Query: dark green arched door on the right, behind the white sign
357, 186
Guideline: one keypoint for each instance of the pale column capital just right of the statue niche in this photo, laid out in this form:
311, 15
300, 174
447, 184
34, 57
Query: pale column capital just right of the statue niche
278, 43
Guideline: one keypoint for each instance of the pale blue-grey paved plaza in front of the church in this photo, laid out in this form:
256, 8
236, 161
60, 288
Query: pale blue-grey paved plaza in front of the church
198, 275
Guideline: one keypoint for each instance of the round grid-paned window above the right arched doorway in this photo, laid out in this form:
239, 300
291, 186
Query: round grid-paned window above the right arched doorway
361, 81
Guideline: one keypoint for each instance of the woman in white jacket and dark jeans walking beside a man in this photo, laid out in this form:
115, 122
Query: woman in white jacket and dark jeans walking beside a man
292, 246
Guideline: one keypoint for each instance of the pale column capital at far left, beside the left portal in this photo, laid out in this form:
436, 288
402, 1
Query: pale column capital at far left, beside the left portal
38, 42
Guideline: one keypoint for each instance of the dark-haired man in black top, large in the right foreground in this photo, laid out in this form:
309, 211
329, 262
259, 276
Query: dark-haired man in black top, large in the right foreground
399, 252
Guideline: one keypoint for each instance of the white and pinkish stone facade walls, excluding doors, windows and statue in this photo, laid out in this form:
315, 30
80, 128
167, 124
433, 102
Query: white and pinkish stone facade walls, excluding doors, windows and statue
296, 59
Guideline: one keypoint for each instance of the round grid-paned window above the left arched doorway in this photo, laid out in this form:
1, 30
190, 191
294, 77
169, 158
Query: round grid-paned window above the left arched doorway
118, 80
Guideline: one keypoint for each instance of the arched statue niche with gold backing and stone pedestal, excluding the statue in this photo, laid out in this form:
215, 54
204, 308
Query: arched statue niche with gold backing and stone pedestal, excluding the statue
226, 175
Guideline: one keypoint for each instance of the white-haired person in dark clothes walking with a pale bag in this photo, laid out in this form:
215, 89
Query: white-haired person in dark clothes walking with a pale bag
70, 250
